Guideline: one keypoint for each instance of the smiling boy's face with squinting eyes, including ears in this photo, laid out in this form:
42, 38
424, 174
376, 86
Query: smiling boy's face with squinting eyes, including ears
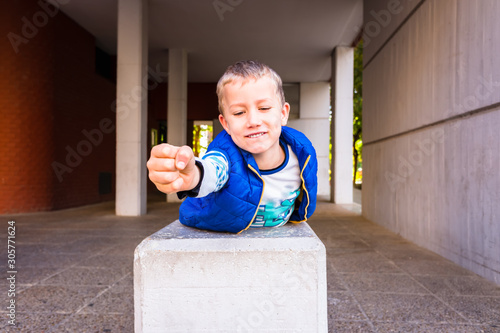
253, 116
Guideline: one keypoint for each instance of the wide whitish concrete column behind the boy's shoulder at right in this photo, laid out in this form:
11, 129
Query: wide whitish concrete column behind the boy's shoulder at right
314, 109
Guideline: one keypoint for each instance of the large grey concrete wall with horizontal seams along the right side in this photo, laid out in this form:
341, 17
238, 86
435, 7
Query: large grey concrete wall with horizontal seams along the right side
431, 118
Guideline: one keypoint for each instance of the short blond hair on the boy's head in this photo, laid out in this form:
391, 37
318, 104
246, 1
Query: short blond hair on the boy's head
247, 69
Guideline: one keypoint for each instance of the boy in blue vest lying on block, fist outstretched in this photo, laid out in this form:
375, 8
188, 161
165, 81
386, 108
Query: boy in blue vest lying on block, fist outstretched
256, 173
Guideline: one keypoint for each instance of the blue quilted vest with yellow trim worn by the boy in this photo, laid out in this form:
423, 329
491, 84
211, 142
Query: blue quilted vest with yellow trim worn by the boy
234, 207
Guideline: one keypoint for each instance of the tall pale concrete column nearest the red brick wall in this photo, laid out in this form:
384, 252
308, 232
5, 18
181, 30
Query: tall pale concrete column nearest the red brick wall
131, 108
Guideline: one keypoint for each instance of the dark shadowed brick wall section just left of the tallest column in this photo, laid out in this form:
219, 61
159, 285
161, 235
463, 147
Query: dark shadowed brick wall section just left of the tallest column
82, 104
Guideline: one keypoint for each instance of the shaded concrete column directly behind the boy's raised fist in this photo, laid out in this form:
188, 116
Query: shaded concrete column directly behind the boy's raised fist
177, 101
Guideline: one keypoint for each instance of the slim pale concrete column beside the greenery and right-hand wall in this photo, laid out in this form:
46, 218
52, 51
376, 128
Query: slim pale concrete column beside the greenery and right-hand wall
341, 126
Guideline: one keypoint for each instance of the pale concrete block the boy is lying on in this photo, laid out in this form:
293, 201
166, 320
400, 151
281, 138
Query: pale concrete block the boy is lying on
269, 279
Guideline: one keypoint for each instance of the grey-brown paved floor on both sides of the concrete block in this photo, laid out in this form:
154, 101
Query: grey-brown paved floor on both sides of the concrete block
75, 274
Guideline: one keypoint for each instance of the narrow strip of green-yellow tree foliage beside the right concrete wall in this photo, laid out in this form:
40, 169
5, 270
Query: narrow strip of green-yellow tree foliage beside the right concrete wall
357, 137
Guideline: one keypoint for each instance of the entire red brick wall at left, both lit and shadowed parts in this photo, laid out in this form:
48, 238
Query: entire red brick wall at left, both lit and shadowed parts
49, 94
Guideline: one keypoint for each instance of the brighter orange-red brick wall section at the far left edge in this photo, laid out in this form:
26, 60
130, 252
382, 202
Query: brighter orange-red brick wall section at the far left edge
26, 97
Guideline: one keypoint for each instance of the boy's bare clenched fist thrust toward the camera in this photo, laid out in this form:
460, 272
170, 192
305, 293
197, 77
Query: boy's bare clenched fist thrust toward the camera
172, 169
